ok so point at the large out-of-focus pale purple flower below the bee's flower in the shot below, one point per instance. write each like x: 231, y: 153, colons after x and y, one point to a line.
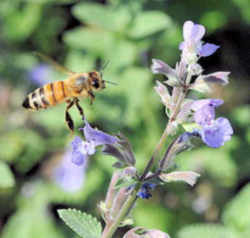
x: 67, y: 175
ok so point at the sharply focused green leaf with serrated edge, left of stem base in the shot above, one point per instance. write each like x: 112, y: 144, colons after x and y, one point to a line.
x: 83, y: 224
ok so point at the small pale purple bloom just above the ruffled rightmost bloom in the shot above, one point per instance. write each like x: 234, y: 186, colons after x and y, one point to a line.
x: 205, y: 110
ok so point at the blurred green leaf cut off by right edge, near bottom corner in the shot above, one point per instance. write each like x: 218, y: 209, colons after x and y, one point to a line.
x: 237, y: 212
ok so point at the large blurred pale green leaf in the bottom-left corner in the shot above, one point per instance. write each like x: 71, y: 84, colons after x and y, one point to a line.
x: 32, y: 219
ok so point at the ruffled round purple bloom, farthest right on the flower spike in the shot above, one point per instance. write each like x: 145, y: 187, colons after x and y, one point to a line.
x: 217, y: 133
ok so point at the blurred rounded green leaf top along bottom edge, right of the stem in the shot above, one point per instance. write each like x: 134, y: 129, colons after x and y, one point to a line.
x: 206, y: 231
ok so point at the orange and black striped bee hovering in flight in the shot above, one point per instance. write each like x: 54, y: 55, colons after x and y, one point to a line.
x: 76, y: 85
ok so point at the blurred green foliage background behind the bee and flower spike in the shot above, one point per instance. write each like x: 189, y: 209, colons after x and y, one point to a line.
x: 82, y: 35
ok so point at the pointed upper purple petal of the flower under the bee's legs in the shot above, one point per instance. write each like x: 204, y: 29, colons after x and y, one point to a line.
x: 96, y: 136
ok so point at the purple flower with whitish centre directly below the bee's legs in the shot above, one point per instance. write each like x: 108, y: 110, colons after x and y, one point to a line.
x: 93, y: 137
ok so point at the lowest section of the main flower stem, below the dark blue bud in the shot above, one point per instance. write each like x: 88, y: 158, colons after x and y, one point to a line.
x: 110, y: 228
